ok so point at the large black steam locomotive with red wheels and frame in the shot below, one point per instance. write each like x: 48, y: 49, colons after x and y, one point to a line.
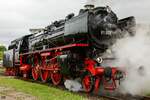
x: 71, y: 48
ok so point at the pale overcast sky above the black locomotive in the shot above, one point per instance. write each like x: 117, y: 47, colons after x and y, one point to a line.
x: 18, y: 16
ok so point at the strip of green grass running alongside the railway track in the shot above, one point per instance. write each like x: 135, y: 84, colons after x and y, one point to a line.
x: 40, y: 91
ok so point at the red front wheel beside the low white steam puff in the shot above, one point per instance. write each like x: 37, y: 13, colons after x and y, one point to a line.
x: 88, y: 82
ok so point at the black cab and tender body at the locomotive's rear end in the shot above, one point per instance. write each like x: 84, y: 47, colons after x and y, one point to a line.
x: 17, y: 47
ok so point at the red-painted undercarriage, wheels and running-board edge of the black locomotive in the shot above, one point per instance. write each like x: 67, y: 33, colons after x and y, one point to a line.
x: 52, y: 69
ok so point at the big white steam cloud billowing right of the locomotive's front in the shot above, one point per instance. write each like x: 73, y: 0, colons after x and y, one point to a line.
x: 133, y: 55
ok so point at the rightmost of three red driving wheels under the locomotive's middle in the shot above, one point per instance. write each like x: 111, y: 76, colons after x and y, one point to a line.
x: 56, y: 78
